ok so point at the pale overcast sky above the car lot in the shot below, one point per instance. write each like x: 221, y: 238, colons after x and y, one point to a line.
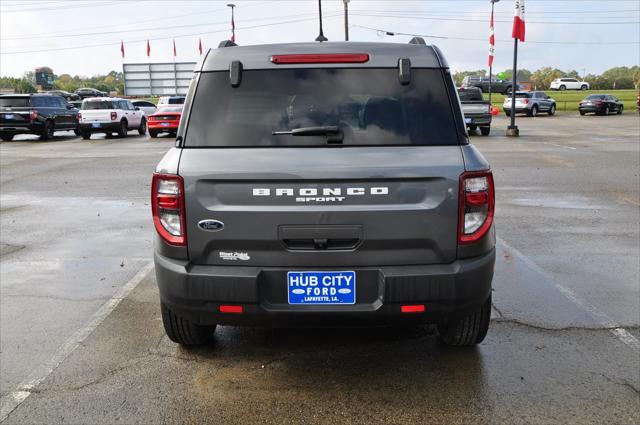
x: 58, y: 33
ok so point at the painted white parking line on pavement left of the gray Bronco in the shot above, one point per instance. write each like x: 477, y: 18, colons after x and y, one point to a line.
x: 9, y: 402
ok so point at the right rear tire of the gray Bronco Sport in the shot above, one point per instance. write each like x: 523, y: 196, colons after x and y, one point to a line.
x: 468, y: 330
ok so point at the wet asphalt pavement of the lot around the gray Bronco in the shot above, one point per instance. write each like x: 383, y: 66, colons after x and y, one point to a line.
x: 562, y: 347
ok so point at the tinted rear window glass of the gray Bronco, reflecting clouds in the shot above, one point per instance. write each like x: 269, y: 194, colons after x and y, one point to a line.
x: 369, y: 106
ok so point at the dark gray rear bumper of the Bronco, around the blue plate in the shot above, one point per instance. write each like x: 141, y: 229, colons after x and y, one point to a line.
x: 446, y: 290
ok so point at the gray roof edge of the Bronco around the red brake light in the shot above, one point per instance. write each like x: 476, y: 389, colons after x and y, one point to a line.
x: 381, y: 55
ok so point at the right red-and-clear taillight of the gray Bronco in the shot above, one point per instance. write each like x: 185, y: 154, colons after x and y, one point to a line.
x: 477, y: 200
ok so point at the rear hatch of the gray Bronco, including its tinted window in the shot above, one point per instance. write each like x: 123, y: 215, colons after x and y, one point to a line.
x: 374, y: 182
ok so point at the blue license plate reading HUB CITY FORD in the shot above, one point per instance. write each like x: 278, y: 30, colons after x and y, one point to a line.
x: 321, y: 287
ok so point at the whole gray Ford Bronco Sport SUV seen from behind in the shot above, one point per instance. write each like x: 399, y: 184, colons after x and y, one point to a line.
x: 324, y: 184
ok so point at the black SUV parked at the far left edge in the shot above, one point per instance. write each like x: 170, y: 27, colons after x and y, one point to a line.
x: 41, y: 114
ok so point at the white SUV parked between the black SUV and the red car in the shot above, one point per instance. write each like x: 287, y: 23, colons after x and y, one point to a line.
x: 110, y: 115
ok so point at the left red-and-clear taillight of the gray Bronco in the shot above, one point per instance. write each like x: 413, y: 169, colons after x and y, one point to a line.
x: 167, y: 206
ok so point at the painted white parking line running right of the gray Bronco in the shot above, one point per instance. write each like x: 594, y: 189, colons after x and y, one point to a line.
x: 597, y: 315
